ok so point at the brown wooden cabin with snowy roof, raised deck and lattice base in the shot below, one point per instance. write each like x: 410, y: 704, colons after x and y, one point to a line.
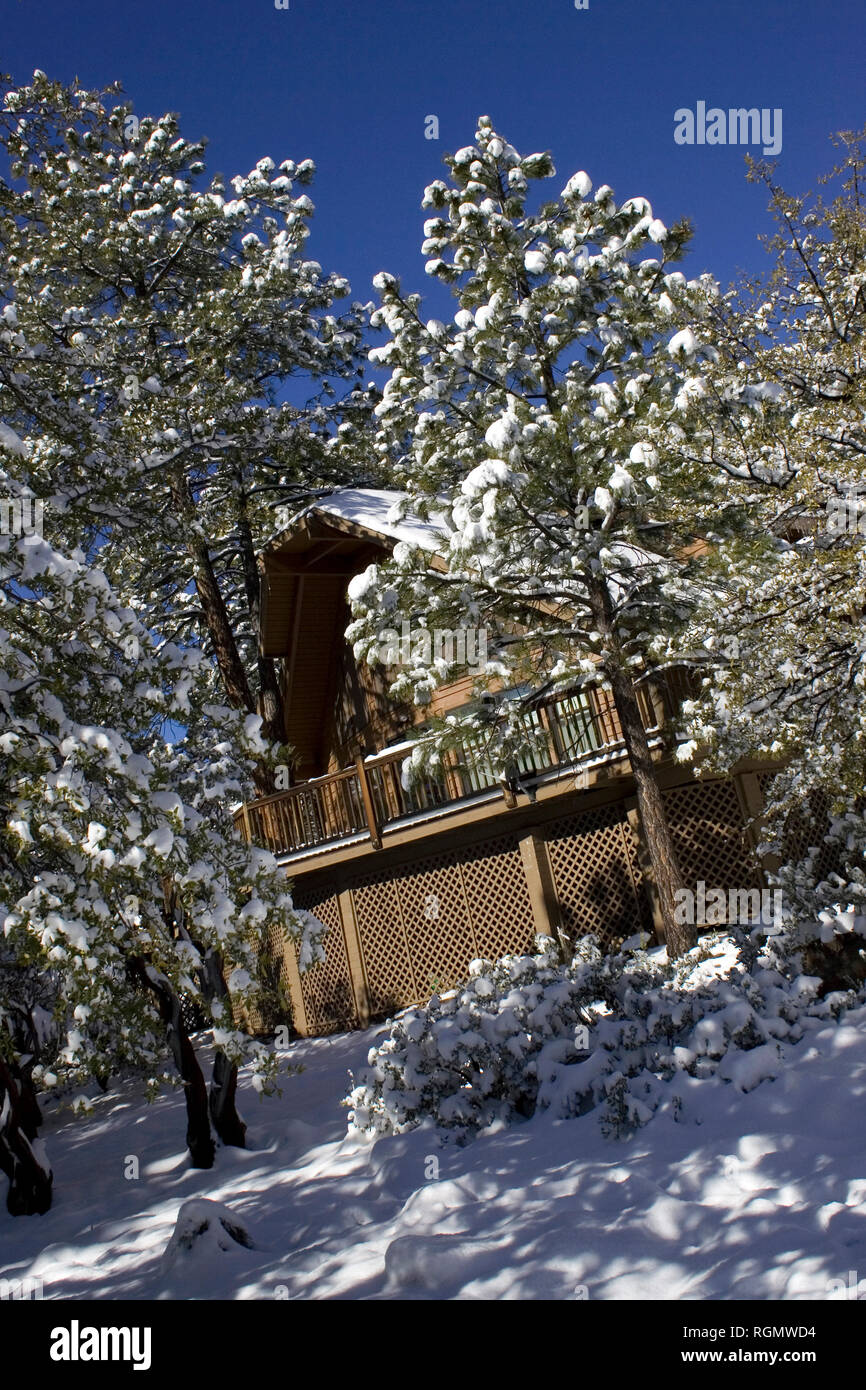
x: 414, y: 881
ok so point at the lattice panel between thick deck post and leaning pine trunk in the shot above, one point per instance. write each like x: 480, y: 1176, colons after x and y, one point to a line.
x: 597, y: 876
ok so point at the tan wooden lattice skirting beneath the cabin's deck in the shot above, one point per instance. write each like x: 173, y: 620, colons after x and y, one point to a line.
x: 398, y: 935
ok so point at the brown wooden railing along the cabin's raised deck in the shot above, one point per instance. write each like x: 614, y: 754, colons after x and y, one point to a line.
x: 565, y: 732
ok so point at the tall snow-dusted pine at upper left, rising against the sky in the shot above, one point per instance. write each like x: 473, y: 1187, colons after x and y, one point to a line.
x: 173, y: 361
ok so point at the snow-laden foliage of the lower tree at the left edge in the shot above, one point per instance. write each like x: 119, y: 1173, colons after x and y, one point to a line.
x: 102, y: 814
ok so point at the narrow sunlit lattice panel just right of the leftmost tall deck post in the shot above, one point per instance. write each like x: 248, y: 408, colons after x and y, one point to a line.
x: 391, y: 982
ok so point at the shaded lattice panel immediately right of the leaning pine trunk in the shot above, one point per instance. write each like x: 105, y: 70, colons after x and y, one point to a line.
x: 710, y: 835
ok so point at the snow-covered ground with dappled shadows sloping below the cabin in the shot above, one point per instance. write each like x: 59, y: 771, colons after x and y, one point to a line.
x: 744, y: 1196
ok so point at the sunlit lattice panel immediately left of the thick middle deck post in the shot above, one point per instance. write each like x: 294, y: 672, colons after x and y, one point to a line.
x: 498, y: 900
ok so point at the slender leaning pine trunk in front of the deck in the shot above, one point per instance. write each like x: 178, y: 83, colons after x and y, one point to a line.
x: 667, y: 874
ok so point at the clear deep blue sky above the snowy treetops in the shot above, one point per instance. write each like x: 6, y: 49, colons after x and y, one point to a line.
x: 350, y: 84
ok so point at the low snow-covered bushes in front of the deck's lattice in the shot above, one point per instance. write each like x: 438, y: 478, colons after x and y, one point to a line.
x: 608, y: 1032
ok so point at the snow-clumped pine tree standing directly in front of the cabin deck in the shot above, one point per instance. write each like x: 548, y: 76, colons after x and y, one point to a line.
x: 547, y: 423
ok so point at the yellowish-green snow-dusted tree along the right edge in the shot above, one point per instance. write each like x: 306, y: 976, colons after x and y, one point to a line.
x: 785, y: 418
